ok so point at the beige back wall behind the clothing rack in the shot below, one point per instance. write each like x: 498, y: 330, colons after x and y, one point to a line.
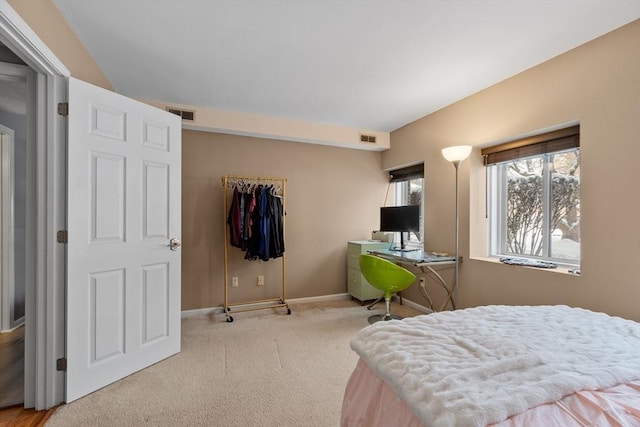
x: 332, y: 196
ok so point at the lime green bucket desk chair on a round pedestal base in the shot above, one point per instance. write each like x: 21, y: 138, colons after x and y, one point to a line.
x: 386, y: 276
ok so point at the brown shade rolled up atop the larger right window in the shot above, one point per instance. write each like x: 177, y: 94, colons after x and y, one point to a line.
x: 549, y: 142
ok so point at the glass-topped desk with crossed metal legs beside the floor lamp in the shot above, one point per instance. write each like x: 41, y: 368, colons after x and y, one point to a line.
x: 428, y: 263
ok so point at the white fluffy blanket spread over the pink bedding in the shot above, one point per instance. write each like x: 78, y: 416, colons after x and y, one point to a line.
x: 481, y: 365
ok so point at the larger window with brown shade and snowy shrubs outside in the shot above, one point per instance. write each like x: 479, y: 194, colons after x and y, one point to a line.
x: 533, y: 191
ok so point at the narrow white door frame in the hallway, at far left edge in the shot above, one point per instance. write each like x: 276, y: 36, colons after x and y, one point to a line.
x: 7, y: 300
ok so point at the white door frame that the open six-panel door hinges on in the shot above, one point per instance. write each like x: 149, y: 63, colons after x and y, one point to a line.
x: 46, y: 201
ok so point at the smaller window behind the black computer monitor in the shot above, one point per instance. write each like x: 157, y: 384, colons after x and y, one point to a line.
x: 406, y: 184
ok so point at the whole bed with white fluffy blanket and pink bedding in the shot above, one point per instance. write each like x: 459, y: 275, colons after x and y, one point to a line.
x: 496, y: 365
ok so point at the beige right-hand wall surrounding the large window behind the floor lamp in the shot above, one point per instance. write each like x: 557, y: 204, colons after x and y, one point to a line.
x: 597, y: 84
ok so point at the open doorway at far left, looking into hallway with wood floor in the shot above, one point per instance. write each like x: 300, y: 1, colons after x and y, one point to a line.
x: 13, y: 227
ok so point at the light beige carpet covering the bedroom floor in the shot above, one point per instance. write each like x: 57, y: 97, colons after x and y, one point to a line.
x: 263, y: 369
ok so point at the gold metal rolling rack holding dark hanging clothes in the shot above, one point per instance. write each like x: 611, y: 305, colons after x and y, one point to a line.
x: 279, y: 301
